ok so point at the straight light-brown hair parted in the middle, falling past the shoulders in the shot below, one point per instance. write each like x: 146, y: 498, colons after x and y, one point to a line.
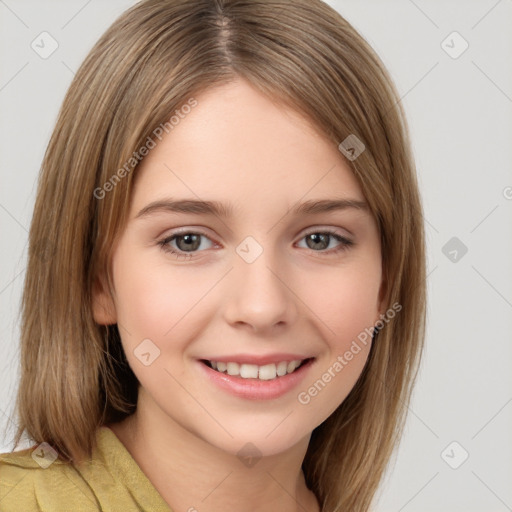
x: 74, y: 376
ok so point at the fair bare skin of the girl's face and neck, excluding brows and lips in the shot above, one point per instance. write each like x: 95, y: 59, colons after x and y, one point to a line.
x: 239, y: 147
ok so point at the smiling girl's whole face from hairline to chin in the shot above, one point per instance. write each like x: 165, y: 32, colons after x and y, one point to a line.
x: 234, y: 255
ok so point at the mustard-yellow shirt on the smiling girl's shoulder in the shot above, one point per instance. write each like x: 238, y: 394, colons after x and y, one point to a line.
x: 110, y: 482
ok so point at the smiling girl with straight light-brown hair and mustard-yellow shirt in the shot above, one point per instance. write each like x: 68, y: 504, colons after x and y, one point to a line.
x: 229, y: 310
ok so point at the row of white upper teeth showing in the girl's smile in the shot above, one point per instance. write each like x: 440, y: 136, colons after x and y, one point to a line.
x: 272, y: 371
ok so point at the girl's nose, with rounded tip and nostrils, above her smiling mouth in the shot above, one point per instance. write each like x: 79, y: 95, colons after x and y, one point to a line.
x: 260, y: 295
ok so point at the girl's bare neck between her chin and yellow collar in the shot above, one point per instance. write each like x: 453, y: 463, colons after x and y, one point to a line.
x: 193, y: 475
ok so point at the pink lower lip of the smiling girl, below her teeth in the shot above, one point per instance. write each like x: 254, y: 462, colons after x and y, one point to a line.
x: 256, y: 389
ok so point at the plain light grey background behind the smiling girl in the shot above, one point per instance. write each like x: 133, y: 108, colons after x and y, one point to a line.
x: 459, y: 110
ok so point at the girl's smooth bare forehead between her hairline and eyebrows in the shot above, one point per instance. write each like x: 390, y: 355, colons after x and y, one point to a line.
x: 236, y: 144
